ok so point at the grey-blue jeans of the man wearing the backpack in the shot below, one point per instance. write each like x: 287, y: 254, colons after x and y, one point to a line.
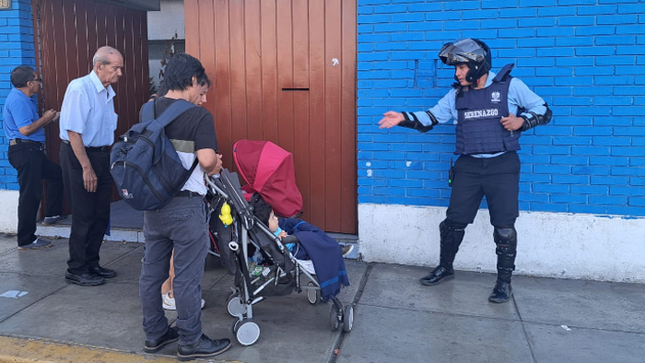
x: 182, y: 225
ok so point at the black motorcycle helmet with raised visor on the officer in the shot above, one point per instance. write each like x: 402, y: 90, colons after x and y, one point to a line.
x: 472, y: 52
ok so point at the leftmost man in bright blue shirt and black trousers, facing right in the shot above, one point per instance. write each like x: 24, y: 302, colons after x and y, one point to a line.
x: 24, y: 129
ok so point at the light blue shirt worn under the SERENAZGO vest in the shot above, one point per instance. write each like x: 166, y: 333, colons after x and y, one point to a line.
x: 519, y: 95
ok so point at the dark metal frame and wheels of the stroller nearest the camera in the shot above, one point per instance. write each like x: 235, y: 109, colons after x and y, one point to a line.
x: 280, y: 275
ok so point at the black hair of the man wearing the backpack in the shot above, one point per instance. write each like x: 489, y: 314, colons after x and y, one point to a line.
x: 180, y: 71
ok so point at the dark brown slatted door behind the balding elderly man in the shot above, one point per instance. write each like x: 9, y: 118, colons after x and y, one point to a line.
x: 70, y: 33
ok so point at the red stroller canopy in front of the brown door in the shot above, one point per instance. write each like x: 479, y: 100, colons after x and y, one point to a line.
x: 268, y: 169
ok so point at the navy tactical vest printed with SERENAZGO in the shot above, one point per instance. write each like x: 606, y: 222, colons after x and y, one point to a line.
x: 479, y: 130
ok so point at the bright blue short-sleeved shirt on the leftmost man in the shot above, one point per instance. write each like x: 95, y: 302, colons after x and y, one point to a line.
x: 20, y: 111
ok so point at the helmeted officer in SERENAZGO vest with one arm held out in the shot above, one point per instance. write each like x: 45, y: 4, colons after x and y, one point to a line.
x: 490, y: 110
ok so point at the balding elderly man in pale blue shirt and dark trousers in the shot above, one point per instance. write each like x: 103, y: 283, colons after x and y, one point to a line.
x: 87, y: 124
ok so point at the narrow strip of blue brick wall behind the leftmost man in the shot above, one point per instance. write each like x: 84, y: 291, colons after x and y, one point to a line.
x: 16, y: 48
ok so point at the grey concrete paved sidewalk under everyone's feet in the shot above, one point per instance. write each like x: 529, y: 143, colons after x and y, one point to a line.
x: 396, y: 318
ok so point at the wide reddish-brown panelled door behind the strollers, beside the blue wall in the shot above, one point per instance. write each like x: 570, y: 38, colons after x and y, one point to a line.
x: 285, y: 71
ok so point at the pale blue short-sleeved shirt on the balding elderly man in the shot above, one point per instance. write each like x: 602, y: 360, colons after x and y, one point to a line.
x: 88, y: 109
